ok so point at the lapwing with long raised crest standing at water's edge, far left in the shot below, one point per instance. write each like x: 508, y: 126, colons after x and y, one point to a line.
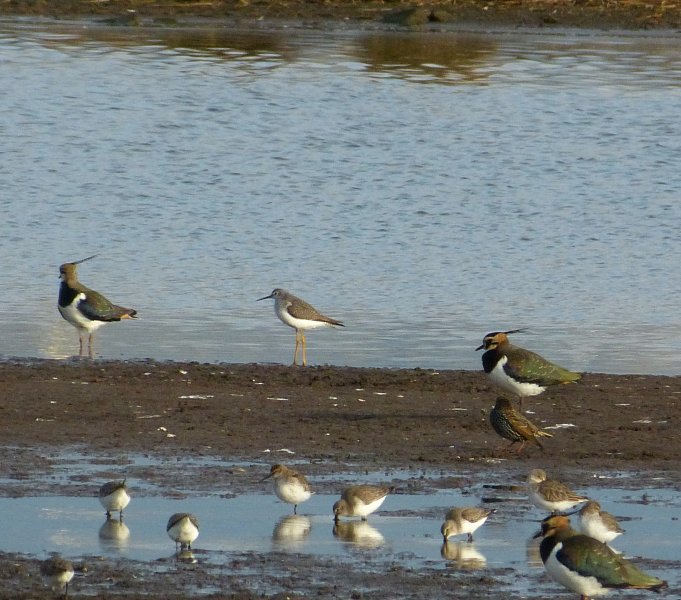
x: 84, y: 308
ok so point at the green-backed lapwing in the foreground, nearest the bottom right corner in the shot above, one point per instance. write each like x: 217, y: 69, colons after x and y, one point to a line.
x: 585, y: 565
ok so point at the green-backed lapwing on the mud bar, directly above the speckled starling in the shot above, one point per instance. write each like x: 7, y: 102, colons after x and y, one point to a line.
x: 517, y: 370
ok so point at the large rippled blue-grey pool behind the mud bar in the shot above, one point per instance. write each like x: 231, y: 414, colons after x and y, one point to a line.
x: 425, y: 188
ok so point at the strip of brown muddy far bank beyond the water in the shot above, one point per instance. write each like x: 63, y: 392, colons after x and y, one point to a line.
x: 589, y: 14
